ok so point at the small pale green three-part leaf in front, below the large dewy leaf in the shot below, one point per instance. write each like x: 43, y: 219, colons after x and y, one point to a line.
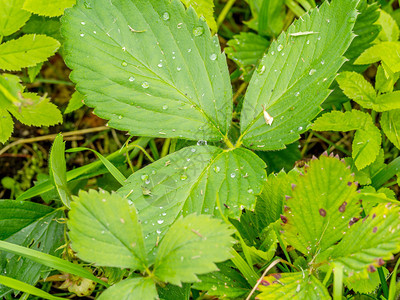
x: 113, y: 236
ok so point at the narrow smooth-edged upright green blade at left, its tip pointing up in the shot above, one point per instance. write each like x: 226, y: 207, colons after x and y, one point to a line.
x: 58, y: 170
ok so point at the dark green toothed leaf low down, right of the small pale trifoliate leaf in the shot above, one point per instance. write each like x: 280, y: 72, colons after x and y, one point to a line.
x: 226, y: 282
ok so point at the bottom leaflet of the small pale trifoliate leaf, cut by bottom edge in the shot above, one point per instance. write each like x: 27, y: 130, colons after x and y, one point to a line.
x: 132, y: 289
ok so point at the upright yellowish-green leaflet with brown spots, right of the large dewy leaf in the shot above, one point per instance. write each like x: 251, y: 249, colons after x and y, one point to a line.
x: 323, y: 203
